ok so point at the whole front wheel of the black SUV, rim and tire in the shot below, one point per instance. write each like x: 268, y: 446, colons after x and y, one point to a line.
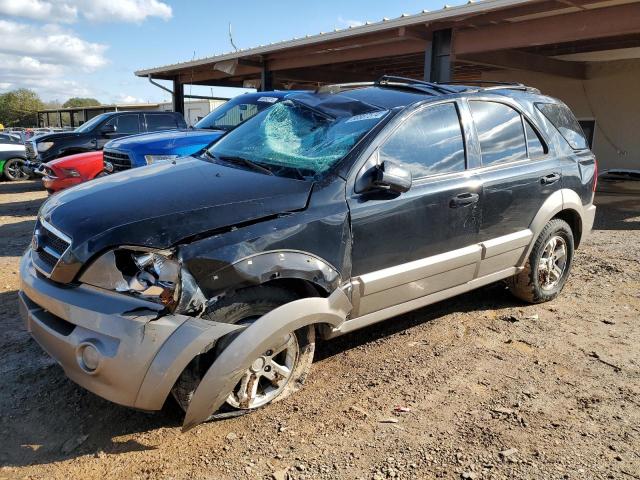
x: 274, y: 375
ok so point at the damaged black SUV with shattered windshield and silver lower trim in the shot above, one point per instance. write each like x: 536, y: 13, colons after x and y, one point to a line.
x: 325, y: 213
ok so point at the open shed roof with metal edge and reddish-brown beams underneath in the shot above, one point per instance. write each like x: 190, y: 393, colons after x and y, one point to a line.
x: 487, y: 35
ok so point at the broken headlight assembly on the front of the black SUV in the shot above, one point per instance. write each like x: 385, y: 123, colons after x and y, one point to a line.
x: 152, y: 275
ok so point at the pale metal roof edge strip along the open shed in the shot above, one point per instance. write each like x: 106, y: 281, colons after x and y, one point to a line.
x: 424, y: 17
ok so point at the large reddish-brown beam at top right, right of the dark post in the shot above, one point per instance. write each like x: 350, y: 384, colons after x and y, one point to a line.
x: 571, y: 27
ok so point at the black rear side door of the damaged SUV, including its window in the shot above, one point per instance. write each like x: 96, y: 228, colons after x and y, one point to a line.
x: 518, y: 173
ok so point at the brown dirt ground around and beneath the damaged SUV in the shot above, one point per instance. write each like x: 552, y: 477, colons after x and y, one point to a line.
x: 487, y: 387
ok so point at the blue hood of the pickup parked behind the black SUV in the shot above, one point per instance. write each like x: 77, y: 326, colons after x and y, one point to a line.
x: 167, y: 142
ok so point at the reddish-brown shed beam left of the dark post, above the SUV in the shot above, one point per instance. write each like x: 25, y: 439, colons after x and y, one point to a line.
x: 351, y: 55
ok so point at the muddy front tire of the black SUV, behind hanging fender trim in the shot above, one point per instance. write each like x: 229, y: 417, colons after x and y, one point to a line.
x: 244, y: 307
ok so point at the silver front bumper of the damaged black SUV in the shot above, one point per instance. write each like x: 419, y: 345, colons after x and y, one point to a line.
x: 141, y: 352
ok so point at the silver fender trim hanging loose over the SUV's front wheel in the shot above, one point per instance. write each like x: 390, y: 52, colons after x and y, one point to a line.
x: 266, y: 332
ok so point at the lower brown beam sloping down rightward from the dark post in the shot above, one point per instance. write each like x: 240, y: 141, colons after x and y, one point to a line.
x: 519, y: 60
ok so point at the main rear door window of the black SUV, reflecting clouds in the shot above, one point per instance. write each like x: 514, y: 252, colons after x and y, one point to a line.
x: 500, y: 132
